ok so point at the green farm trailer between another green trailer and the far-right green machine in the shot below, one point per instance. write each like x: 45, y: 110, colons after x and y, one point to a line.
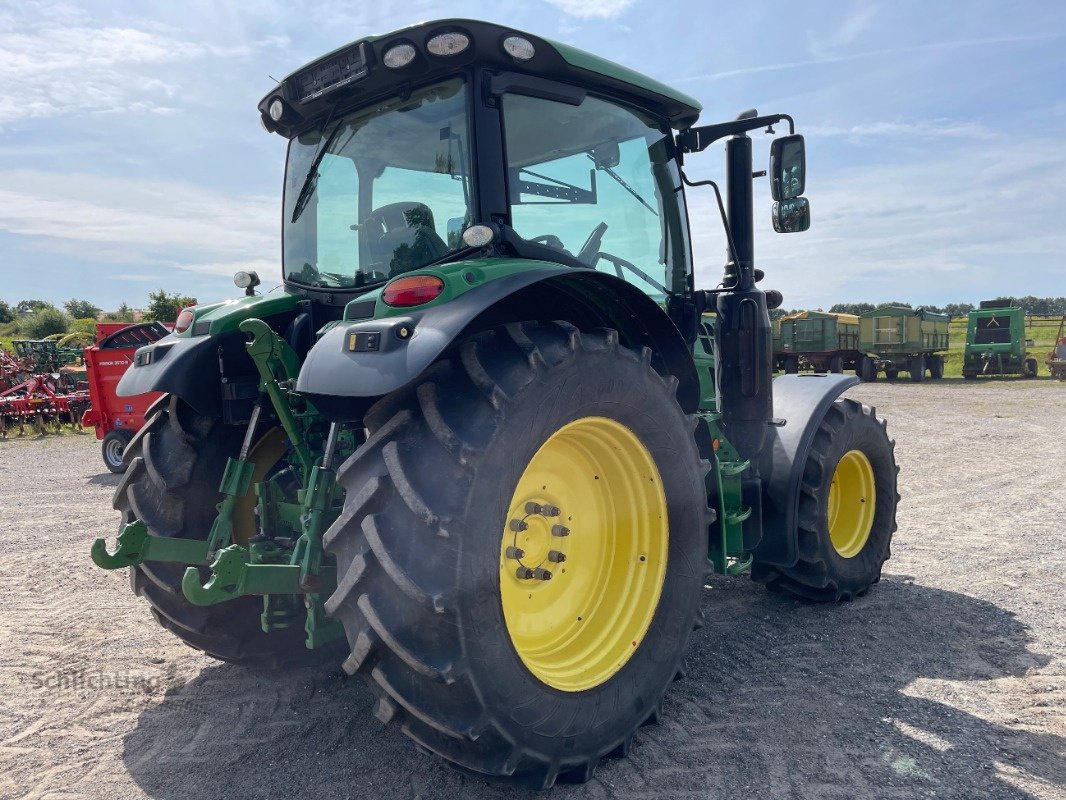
x: 897, y: 339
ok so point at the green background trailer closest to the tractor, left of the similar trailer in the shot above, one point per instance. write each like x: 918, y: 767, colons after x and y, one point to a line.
x: 825, y: 343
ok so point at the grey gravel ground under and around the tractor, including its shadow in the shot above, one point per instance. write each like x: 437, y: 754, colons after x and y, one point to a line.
x: 948, y: 680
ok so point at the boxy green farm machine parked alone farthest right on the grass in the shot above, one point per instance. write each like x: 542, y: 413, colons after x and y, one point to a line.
x: 996, y: 343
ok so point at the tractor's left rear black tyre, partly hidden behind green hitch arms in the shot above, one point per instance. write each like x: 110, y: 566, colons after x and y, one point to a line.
x: 176, y: 463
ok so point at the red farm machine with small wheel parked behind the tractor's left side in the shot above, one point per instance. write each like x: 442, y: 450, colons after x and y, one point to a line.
x: 117, y: 419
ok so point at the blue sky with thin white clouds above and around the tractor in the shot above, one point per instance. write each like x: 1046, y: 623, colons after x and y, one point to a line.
x: 132, y: 156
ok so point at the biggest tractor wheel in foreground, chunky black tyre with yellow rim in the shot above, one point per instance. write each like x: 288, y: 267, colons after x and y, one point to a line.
x: 451, y: 520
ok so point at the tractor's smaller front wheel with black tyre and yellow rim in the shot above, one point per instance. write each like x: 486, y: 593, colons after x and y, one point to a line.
x: 847, y: 517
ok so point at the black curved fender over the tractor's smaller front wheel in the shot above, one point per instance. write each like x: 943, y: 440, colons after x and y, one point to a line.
x: 802, y: 402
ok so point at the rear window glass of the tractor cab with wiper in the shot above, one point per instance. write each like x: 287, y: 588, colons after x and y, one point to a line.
x: 382, y: 191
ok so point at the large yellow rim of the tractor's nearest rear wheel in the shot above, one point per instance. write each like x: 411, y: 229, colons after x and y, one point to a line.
x: 584, y: 554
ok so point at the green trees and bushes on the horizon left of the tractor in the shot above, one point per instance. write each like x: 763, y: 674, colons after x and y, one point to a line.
x: 37, y: 319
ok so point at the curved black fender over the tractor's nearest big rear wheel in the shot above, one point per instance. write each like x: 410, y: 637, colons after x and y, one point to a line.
x: 347, y: 364
